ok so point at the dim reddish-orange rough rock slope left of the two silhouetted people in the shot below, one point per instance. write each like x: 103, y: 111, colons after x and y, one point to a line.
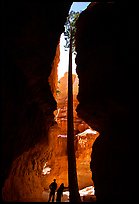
x: 28, y: 178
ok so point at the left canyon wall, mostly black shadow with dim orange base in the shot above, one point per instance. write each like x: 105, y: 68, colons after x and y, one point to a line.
x: 31, y: 33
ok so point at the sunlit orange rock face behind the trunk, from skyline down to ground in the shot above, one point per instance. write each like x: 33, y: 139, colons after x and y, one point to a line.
x: 84, y: 135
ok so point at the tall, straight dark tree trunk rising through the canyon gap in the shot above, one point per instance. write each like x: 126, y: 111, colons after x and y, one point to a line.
x: 74, y: 195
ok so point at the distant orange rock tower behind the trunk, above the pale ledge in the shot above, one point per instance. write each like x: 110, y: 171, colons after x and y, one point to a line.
x: 62, y: 98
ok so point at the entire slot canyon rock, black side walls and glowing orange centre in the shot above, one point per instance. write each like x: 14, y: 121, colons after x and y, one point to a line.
x: 34, y: 101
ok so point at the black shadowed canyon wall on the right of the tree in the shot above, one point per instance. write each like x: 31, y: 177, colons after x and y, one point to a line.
x: 105, y: 45
